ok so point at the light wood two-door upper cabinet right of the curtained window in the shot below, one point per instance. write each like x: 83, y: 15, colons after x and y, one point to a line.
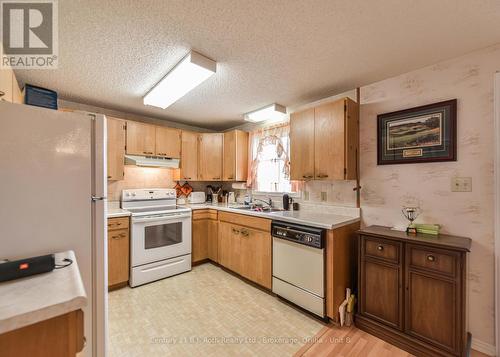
x: 324, y: 142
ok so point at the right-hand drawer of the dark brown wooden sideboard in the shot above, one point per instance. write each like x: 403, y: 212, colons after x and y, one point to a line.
x: 435, y: 260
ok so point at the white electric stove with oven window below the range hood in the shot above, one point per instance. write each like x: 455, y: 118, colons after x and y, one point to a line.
x: 160, y: 234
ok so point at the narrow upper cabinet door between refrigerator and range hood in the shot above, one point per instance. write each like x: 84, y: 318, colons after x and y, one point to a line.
x: 116, y: 148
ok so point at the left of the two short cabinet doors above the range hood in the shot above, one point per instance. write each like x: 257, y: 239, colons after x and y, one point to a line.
x: 140, y: 138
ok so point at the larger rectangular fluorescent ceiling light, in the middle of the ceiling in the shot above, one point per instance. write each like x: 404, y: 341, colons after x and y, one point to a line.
x: 190, y: 72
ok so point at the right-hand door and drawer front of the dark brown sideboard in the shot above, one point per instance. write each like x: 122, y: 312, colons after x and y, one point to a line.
x: 433, y: 285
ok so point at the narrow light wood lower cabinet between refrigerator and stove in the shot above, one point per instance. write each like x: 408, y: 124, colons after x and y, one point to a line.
x: 118, y: 252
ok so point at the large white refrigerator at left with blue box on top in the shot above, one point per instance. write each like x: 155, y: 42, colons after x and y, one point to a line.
x: 53, y: 197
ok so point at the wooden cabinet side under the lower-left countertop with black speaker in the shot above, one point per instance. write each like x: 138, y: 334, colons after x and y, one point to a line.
x: 60, y: 336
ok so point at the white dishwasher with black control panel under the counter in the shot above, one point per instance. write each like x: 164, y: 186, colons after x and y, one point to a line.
x: 299, y: 265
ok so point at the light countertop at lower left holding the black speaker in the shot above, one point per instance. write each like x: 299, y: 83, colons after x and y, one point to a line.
x: 41, y: 297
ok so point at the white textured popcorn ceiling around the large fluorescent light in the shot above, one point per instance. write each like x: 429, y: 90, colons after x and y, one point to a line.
x: 287, y: 51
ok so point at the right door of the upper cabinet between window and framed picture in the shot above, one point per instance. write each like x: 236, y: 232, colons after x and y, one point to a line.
x: 329, y: 141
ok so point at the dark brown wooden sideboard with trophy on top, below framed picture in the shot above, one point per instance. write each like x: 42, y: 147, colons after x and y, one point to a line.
x: 412, y: 290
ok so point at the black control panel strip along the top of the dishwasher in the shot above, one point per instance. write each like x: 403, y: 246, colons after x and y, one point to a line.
x: 310, y: 236
